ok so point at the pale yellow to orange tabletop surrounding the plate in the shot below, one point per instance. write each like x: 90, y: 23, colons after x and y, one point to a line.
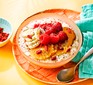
x: 15, y: 11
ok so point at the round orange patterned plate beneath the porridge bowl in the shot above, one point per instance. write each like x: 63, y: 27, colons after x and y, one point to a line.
x: 44, y: 74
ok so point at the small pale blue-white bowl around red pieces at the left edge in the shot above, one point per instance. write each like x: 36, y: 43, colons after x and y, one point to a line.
x: 7, y: 28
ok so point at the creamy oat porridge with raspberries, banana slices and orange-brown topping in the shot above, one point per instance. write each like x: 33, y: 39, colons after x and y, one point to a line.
x: 48, y: 40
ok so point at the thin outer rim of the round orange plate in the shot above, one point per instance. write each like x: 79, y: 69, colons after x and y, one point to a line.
x: 33, y: 76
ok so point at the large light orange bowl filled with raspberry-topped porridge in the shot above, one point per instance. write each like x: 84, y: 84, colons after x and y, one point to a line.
x: 48, y: 39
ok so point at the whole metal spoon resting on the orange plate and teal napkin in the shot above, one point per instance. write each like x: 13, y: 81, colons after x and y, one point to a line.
x: 66, y: 75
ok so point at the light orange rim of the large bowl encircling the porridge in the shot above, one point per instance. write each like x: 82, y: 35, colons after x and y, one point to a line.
x: 42, y: 64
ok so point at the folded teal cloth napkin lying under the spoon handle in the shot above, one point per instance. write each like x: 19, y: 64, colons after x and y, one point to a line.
x: 86, y: 26
